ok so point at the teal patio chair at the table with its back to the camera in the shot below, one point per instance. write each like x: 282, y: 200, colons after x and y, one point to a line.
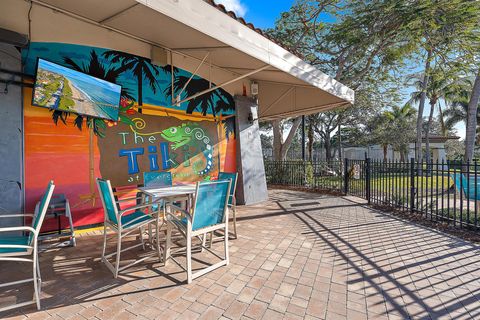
x: 209, y: 213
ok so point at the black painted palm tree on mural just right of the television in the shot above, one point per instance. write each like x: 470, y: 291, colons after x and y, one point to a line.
x: 141, y: 67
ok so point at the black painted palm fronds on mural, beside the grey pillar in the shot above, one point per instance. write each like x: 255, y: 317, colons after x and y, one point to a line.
x: 217, y: 102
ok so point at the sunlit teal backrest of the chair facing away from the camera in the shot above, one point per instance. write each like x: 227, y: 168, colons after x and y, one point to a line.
x: 211, y: 200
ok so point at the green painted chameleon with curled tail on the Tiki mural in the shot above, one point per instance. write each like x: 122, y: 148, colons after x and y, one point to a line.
x: 191, y: 136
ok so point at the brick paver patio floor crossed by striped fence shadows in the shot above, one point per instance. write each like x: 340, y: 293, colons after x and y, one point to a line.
x: 300, y: 255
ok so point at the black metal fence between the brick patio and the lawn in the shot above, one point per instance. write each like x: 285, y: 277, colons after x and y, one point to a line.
x: 440, y: 191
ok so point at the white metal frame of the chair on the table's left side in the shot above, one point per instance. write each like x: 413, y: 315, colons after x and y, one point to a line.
x: 123, y: 231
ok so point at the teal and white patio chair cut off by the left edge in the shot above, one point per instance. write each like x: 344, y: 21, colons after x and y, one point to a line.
x: 24, y: 247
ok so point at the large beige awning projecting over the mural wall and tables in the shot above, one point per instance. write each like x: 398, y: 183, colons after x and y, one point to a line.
x: 288, y: 86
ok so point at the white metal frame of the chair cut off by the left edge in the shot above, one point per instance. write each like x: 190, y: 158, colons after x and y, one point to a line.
x: 30, y: 255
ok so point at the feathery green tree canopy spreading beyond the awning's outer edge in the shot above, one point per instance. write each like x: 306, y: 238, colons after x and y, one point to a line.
x: 370, y: 45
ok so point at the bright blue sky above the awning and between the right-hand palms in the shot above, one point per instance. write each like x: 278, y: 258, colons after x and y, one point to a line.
x: 263, y: 13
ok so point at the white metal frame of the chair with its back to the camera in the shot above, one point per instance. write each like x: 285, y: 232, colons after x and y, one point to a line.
x: 187, y: 232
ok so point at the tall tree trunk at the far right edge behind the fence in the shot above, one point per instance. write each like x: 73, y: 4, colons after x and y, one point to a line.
x: 470, y: 130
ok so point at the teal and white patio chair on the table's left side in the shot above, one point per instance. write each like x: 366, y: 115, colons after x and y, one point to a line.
x: 124, y: 224
